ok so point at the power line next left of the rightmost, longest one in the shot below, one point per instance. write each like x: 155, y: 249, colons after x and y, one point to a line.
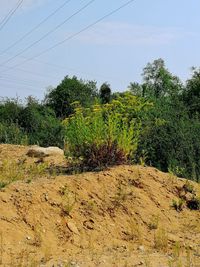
x: 48, y: 33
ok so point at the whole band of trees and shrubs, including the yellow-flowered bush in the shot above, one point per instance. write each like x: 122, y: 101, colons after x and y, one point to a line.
x: 156, y: 122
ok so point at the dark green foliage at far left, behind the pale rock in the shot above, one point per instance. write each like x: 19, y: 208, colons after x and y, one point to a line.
x: 32, y: 123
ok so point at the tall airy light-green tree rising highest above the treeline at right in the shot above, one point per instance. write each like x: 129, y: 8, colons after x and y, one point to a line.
x: 158, y: 81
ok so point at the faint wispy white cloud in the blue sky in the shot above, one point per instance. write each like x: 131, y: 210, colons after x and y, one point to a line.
x: 115, y: 33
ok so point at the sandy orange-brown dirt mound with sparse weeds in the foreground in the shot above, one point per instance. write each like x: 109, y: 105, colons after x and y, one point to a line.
x: 119, y: 217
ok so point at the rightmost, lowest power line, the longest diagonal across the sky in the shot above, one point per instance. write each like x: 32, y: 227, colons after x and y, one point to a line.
x: 73, y: 35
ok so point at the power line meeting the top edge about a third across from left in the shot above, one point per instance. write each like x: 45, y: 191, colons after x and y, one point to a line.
x: 36, y: 27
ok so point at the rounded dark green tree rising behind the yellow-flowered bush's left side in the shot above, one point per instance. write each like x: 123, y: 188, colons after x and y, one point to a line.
x: 68, y: 91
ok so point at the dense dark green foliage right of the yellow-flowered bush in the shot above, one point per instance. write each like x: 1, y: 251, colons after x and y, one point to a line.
x: 170, y: 138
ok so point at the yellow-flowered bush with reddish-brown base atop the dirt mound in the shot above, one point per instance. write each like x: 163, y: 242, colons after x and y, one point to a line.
x: 99, y: 137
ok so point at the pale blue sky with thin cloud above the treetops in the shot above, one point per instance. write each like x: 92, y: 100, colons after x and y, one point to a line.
x: 115, y: 50
